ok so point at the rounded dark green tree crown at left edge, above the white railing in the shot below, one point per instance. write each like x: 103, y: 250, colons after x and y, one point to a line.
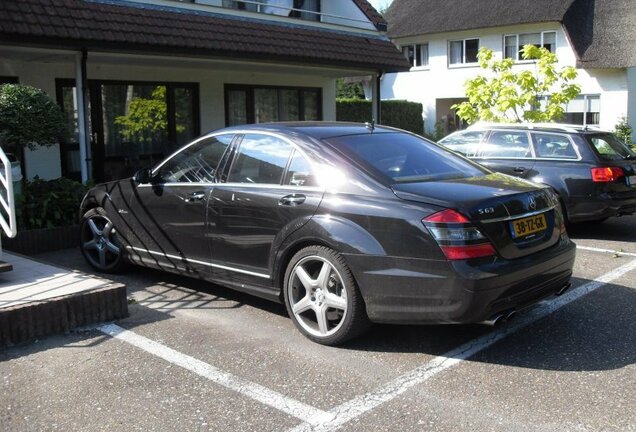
x: 28, y: 117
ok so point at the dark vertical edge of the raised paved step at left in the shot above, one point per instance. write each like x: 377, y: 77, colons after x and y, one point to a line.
x: 30, y: 321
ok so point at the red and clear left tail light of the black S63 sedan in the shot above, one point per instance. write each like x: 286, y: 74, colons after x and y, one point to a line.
x: 457, y: 236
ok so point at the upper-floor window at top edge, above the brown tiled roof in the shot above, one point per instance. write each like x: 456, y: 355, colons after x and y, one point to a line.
x: 303, y: 9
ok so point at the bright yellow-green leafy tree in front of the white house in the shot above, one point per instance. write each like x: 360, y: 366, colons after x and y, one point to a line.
x: 507, y: 96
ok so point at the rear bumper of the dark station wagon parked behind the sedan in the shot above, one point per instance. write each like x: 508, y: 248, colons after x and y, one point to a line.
x: 589, y: 208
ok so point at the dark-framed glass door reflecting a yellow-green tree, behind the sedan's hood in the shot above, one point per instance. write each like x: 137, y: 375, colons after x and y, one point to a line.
x: 133, y: 125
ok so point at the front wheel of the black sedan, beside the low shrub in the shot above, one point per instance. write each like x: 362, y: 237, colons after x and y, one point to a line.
x: 99, y: 242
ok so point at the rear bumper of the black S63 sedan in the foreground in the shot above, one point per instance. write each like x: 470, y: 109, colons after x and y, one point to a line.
x: 398, y: 290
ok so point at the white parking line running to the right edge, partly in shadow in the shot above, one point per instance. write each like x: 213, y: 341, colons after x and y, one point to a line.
x: 362, y: 404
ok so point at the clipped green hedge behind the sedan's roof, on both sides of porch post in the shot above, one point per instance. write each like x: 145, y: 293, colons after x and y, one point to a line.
x: 397, y: 113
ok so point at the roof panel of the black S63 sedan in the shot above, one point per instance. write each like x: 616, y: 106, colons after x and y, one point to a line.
x: 318, y: 130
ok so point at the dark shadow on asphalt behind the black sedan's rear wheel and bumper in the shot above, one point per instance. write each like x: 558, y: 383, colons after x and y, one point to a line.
x: 593, y: 333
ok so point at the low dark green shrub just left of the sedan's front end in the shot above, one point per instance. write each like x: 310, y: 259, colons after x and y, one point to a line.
x: 50, y: 203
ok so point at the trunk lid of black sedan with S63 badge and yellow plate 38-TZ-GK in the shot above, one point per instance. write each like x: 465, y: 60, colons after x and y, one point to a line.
x: 518, y: 217
